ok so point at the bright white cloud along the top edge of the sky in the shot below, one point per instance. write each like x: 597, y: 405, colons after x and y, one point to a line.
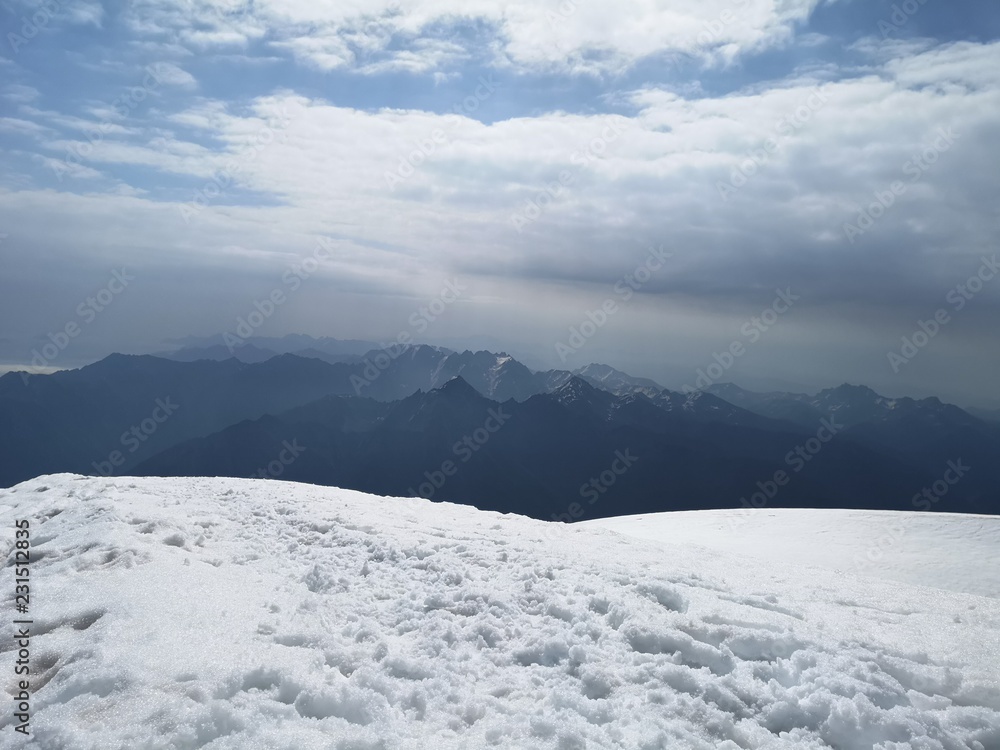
x: 565, y: 35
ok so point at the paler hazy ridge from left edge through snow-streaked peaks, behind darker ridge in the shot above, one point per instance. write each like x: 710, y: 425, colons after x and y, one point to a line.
x: 108, y: 417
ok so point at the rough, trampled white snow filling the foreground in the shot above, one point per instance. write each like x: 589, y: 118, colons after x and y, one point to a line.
x: 226, y: 613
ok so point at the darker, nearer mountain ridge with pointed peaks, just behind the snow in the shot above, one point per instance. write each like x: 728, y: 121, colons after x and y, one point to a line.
x: 578, y: 452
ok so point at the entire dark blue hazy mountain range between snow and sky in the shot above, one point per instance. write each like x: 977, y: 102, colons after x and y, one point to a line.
x: 482, y: 428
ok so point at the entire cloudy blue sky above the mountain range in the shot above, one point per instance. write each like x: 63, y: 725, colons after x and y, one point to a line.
x: 536, y: 151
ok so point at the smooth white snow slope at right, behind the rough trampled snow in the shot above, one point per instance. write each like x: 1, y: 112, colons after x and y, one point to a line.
x: 952, y: 551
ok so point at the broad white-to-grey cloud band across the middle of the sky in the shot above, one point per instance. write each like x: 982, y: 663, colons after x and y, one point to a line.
x: 324, y: 172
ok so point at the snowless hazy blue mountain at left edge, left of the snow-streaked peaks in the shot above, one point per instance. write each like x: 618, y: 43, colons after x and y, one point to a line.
x: 130, y: 407
